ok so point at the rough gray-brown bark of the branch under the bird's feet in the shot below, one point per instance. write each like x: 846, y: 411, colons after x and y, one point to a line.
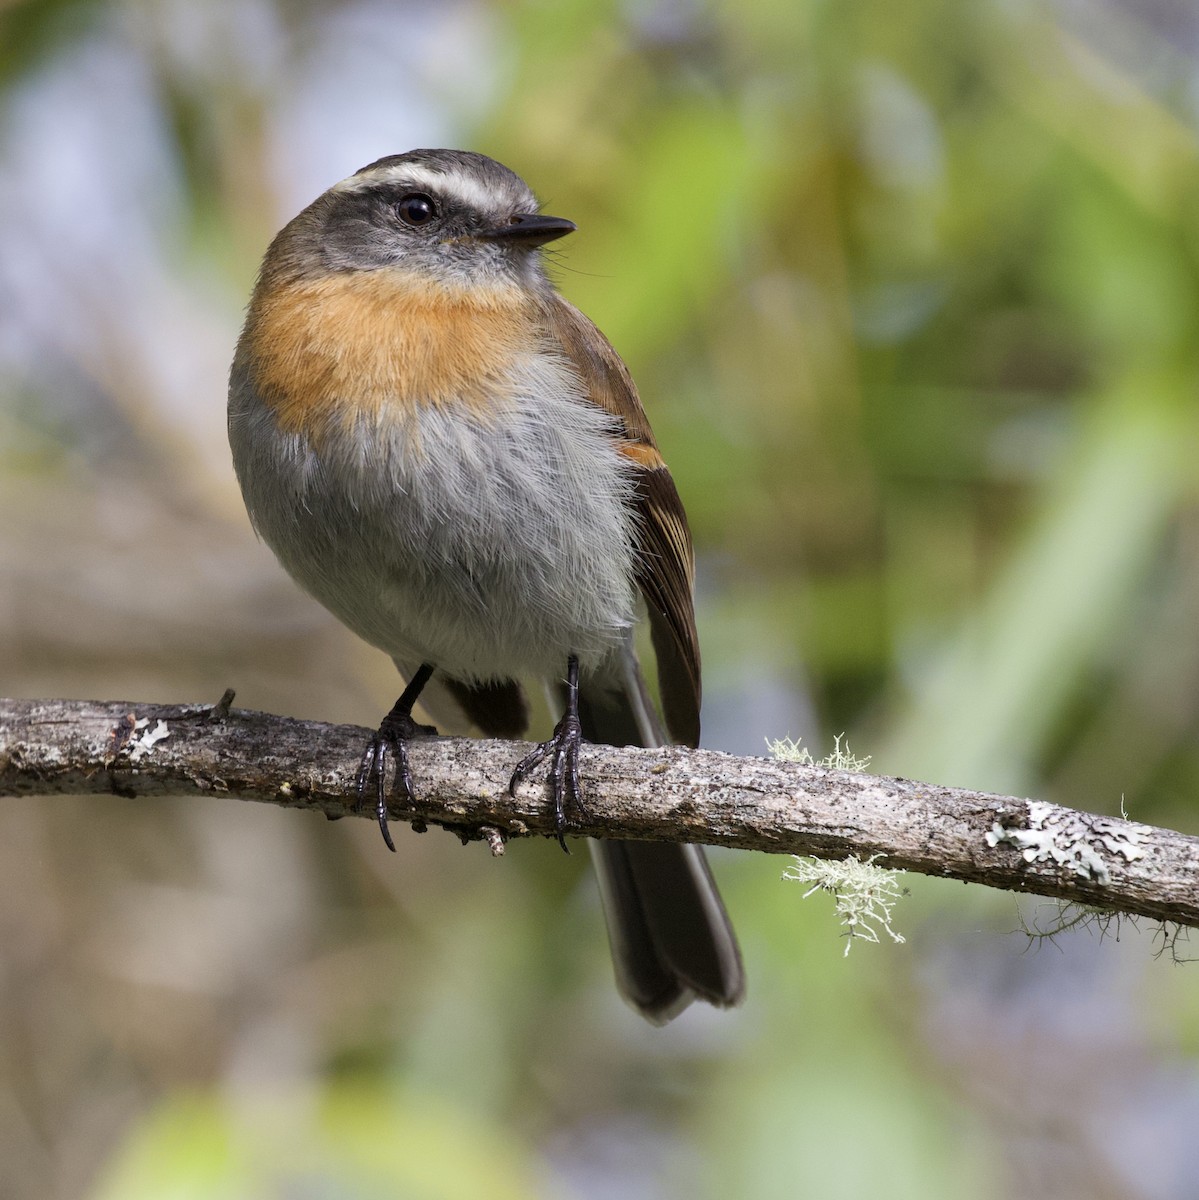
x: 68, y: 747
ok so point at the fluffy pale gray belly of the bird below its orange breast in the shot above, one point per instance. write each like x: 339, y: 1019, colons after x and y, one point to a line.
x: 490, y: 550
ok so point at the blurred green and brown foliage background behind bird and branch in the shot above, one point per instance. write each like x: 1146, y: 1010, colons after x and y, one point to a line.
x: 913, y: 296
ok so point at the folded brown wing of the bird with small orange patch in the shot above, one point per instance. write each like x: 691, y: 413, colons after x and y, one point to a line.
x: 666, y: 561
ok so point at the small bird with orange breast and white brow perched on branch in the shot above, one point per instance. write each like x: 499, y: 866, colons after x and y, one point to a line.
x: 452, y: 459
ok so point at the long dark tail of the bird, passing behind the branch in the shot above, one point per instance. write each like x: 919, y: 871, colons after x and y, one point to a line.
x: 670, y: 935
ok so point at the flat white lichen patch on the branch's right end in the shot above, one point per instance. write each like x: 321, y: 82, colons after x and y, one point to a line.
x: 1078, y: 843
